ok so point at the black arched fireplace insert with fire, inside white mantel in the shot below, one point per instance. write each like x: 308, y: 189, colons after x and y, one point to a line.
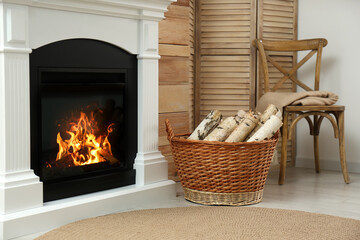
x: 83, y: 117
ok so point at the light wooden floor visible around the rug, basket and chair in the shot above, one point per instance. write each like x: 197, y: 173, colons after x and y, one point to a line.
x: 303, y: 190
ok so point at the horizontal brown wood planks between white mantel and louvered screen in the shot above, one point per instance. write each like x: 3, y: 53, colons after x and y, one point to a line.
x: 176, y: 74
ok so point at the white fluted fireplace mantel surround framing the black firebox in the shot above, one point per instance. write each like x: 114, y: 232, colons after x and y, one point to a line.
x: 29, y: 24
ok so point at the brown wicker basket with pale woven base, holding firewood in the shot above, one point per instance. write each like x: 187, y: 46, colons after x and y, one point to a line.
x: 219, y: 173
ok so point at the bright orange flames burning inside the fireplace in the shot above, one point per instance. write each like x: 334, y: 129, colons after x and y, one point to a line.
x: 84, y: 147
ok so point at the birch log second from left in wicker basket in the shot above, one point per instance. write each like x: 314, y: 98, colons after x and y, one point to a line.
x: 223, y: 130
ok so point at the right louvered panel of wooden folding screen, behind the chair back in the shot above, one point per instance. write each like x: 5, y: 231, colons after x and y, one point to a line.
x: 277, y: 20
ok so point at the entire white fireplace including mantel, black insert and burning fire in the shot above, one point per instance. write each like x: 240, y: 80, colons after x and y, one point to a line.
x: 126, y: 28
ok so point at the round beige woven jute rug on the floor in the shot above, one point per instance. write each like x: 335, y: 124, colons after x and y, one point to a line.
x: 210, y: 223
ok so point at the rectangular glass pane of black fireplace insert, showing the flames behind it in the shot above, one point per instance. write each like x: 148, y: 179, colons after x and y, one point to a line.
x: 81, y: 132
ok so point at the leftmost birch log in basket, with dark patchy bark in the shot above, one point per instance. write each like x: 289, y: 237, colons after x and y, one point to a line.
x: 206, y: 126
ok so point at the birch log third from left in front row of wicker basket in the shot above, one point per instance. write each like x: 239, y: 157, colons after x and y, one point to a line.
x: 245, y: 127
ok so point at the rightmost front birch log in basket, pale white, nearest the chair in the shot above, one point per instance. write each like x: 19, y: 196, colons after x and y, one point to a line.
x: 270, y: 127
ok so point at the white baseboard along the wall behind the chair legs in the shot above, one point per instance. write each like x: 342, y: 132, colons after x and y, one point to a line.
x: 334, y: 165
